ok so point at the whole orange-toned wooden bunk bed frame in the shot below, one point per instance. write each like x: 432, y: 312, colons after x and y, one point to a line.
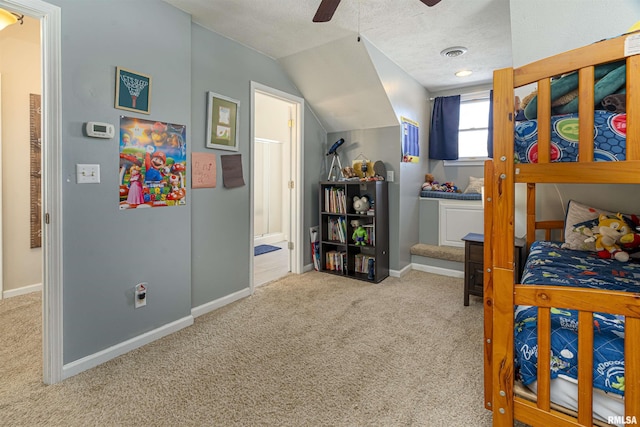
x: 501, y: 294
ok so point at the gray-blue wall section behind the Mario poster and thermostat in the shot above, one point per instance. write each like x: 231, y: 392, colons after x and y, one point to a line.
x: 108, y: 251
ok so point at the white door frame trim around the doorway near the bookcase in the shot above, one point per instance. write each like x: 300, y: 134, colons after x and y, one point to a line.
x: 297, y: 218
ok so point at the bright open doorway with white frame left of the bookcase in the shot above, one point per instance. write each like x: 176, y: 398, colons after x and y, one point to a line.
x: 276, y: 171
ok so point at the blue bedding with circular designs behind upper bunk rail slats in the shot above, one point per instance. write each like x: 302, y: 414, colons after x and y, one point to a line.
x: 609, y: 134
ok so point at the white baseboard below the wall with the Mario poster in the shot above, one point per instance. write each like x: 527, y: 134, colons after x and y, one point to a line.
x: 93, y: 360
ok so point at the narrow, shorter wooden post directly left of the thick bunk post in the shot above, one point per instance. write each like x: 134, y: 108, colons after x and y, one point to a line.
x: 488, y: 280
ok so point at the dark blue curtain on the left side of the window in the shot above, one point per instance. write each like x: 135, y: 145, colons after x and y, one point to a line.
x: 445, y: 121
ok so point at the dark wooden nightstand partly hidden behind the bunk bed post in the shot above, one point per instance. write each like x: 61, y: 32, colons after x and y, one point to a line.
x: 474, y: 263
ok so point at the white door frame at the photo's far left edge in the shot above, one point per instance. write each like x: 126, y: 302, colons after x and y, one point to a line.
x: 52, y: 248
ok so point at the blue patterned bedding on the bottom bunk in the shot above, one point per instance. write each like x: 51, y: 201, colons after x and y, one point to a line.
x: 549, y: 264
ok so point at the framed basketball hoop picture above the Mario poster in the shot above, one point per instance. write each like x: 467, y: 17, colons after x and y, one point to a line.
x: 133, y: 91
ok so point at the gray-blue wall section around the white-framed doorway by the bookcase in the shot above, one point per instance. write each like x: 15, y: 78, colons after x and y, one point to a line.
x: 220, y: 217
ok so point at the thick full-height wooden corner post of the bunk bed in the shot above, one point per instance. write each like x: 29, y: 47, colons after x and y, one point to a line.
x: 502, y: 244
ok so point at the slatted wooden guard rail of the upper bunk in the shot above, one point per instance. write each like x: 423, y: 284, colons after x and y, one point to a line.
x: 585, y: 170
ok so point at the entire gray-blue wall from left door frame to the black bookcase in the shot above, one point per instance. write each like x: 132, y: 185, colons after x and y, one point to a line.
x: 189, y: 255
